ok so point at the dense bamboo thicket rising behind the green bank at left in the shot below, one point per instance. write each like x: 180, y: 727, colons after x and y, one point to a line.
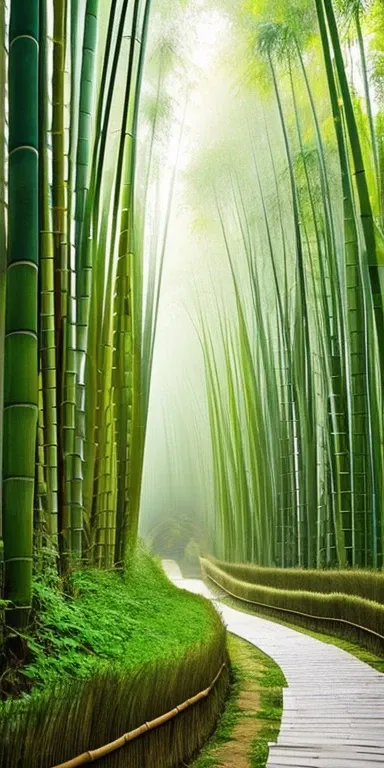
x: 77, y: 361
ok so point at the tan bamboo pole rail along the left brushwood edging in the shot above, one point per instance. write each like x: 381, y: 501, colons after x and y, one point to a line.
x: 96, y: 754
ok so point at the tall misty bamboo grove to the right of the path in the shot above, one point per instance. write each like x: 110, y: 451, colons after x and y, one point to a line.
x: 294, y: 363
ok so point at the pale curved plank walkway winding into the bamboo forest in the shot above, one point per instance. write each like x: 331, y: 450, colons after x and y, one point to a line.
x: 333, y: 710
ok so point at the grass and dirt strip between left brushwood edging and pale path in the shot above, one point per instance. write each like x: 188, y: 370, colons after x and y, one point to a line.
x: 253, y: 711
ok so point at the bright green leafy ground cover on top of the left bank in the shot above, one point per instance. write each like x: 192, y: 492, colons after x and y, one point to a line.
x: 102, y: 619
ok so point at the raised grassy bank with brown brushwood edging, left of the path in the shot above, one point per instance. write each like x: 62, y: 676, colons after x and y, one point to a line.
x: 105, y: 655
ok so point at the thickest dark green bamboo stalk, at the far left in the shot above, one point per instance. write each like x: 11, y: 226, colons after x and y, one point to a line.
x: 20, y: 381
